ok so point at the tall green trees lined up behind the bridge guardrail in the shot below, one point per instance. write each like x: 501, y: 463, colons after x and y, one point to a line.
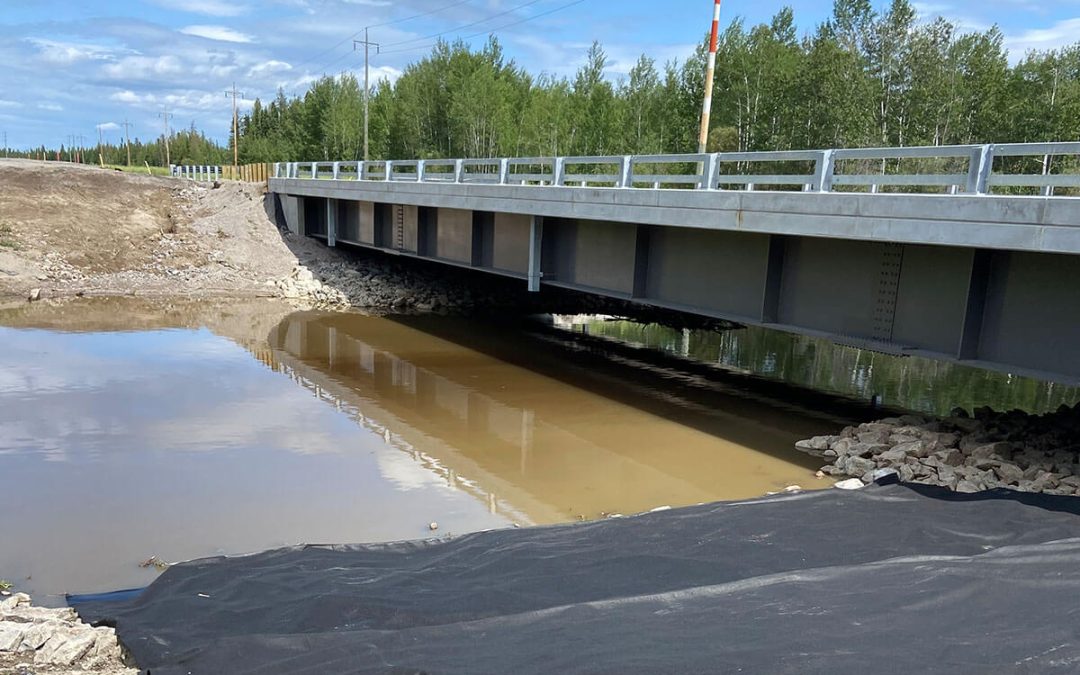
x: 863, y: 78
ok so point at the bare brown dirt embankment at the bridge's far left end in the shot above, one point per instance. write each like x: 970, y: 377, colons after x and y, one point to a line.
x: 80, y: 231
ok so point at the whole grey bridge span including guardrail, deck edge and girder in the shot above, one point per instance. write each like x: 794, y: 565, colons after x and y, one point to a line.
x: 965, y: 253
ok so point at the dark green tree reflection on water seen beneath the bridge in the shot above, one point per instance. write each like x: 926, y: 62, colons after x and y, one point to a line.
x: 914, y: 383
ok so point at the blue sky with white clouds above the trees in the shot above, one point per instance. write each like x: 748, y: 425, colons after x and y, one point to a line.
x: 74, y: 65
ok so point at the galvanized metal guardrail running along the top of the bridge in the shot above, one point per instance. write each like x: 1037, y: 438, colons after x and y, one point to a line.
x: 966, y: 170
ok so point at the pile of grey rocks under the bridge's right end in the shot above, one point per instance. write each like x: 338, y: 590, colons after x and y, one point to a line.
x: 1017, y: 451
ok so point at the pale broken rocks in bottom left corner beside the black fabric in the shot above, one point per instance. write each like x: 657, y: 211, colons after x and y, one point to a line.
x: 42, y: 640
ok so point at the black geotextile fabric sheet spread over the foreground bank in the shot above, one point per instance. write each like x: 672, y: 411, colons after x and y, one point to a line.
x: 888, y: 579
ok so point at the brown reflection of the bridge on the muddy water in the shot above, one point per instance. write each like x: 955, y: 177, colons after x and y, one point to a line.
x: 534, y: 449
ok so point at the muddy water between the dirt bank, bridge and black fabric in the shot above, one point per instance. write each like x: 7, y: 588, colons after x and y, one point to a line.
x: 131, y: 429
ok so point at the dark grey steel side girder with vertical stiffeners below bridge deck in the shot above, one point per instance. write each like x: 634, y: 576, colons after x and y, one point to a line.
x: 1001, y: 309
